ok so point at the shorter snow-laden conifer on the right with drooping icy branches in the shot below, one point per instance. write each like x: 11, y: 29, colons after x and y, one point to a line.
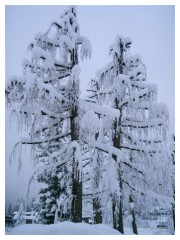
x: 139, y: 130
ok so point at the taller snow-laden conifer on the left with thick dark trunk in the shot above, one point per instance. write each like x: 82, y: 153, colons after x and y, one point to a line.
x: 46, y: 101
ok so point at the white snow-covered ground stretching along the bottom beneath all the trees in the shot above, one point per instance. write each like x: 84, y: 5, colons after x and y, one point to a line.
x: 69, y: 228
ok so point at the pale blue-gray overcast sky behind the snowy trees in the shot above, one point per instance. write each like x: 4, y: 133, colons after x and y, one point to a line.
x: 151, y: 29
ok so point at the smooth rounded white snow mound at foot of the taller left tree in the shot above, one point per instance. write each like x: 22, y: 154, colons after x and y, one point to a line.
x: 64, y: 228
